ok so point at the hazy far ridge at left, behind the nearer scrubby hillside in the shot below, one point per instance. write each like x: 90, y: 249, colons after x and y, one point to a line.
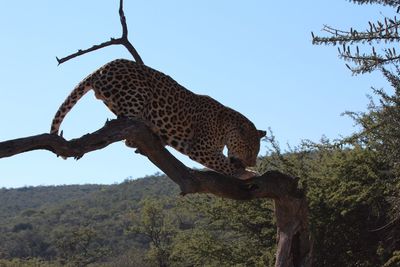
x: 19, y: 200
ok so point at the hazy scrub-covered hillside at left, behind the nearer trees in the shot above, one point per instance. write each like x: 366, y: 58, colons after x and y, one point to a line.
x: 35, y: 221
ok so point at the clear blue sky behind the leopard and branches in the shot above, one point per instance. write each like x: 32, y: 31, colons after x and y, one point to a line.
x: 254, y: 56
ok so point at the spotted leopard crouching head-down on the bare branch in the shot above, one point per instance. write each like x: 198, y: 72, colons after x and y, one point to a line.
x: 208, y: 132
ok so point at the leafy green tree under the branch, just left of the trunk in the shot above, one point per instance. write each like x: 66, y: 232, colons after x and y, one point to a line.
x: 225, y: 233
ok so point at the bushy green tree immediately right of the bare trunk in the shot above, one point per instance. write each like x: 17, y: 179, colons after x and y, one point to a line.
x: 348, y: 196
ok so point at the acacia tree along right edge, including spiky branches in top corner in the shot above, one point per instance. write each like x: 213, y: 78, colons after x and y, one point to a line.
x: 380, y: 125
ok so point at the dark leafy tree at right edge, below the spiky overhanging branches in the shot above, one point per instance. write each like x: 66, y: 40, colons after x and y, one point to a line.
x: 381, y: 133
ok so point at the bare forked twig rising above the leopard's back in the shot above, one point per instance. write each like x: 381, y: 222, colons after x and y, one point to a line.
x: 123, y: 40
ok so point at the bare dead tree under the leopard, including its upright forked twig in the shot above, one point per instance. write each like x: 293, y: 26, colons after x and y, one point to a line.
x: 294, y: 244
